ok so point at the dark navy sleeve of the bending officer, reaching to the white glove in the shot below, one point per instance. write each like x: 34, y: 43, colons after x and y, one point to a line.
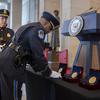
x: 38, y: 58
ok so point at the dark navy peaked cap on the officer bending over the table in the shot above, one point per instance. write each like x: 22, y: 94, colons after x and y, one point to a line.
x: 53, y: 21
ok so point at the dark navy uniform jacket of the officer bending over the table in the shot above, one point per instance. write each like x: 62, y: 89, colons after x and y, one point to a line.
x: 32, y: 41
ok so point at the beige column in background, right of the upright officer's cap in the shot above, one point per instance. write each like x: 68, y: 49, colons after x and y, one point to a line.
x: 16, y: 13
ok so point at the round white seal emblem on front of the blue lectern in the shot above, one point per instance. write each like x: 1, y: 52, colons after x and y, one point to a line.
x: 75, y: 26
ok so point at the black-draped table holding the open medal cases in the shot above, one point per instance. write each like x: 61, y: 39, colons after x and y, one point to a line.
x: 40, y: 88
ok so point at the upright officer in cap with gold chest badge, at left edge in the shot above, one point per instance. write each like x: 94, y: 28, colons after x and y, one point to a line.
x: 5, y: 32
